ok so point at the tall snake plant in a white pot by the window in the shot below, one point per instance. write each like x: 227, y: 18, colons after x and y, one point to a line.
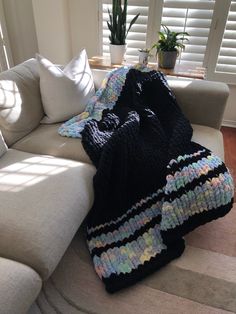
x: 117, y: 26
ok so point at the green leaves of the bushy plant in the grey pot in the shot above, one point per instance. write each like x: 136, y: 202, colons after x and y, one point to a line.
x: 170, y: 41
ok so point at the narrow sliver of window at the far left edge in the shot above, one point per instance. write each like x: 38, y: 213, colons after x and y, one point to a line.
x: 5, y: 55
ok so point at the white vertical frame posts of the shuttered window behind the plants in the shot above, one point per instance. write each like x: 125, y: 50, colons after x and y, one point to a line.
x: 216, y: 34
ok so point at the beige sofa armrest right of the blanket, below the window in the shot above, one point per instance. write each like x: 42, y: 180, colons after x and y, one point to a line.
x: 202, y: 102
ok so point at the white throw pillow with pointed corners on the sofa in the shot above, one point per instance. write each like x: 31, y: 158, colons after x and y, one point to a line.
x: 65, y: 92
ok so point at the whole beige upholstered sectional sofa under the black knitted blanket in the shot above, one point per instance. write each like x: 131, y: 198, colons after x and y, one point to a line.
x: 46, y: 180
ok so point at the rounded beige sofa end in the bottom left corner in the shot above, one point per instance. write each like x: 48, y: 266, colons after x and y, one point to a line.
x: 19, y: 287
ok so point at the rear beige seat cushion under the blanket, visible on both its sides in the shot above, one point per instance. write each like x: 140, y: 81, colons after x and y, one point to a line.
x: 46, y: 140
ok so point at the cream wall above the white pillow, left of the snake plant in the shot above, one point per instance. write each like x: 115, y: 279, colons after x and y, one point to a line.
x: 64, y: 27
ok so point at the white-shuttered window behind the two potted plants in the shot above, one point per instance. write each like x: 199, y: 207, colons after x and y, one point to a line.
x: 211, y: 25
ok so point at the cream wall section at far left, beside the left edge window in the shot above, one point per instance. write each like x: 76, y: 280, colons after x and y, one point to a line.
x: 21, y: 29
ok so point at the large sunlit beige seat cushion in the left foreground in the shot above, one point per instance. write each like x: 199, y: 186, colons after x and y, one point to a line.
x: 43, y: 202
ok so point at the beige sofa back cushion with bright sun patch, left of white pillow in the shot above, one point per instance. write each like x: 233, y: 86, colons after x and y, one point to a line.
x: 20, y: 102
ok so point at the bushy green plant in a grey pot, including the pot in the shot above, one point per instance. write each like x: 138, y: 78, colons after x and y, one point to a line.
x: 168, y: 47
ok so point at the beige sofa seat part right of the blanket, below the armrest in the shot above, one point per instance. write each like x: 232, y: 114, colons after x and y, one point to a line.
x: 210, y: 138
